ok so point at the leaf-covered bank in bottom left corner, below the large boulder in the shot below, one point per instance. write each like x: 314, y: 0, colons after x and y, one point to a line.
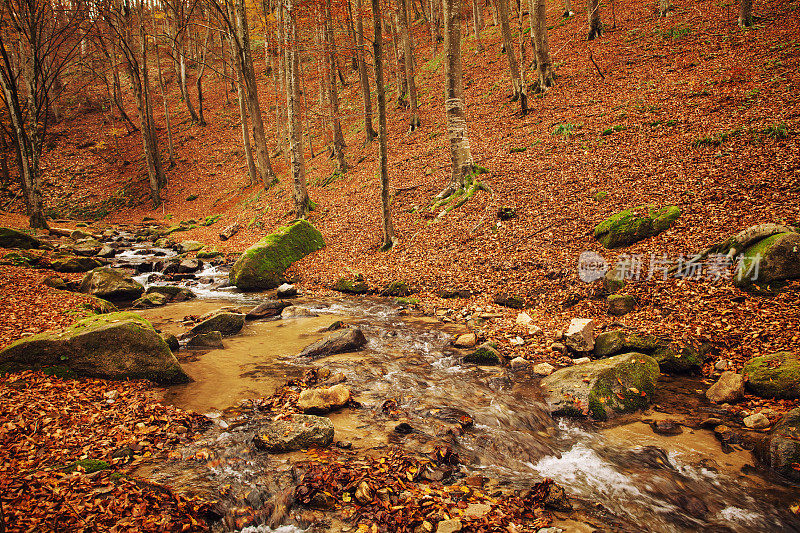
x: 66, y: 446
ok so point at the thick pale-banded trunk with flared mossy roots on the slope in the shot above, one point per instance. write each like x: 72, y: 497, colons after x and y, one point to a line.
x: 460, y: 153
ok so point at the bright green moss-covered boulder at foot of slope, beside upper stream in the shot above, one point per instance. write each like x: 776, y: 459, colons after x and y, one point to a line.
x: 262, y: 265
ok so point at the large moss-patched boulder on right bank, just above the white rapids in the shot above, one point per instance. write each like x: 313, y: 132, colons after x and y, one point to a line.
x: 603, y: 388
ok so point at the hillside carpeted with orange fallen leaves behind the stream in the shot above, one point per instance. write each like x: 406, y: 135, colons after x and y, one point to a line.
x: 690, y: 111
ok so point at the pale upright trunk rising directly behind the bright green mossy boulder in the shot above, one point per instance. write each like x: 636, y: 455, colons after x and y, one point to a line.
x: 296, y: 153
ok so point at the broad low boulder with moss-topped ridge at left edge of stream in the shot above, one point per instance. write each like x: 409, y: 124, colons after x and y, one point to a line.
x: 111, y: 346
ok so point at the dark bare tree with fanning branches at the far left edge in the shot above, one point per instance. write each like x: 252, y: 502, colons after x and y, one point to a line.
x: 46, y: 38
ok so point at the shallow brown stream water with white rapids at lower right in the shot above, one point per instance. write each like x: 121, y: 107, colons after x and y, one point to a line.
x: 624, y: 477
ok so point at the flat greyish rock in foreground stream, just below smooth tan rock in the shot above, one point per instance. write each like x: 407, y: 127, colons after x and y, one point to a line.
x: 294, y: 432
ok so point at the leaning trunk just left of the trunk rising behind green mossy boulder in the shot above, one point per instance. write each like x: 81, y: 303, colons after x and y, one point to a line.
x: 265, y: 172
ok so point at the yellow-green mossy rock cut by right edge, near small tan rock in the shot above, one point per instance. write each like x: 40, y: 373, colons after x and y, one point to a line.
x: 773, y: 376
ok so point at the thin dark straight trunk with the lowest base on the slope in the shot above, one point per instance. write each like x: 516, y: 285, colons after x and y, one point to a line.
x: 383, y: 166
